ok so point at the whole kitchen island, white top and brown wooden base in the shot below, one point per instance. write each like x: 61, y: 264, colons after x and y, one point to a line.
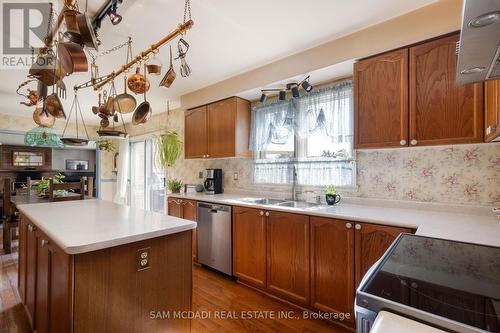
x: 96, y: 266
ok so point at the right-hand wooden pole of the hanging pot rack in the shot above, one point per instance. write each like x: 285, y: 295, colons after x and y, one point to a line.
x: 99, y: 82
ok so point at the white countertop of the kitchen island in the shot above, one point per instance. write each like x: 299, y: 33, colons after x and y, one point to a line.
x: 87, y: 225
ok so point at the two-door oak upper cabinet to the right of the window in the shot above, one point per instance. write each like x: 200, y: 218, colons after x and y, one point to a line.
x: 408, y: 97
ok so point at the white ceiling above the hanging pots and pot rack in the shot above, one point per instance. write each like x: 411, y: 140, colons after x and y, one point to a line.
x: 229, y: 38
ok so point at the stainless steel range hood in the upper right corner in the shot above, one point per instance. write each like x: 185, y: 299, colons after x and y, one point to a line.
x: 479, y: 48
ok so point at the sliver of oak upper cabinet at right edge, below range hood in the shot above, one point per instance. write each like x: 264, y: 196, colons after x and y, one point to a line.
x: 492, y: 110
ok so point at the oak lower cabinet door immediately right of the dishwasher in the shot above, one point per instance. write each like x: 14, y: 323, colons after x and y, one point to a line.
x: 249, y: 246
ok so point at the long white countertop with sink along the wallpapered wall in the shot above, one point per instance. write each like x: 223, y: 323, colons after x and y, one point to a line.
x: 455, y: 222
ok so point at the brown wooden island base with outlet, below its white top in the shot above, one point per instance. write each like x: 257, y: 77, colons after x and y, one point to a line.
x: 106, y: 290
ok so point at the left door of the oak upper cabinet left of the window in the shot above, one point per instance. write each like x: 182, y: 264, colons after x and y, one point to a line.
x: 195, y: 133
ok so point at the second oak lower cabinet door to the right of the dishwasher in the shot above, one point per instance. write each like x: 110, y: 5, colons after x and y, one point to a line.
x: 288, y: 256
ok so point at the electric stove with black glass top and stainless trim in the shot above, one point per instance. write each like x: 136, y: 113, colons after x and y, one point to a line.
x: 450, y: 285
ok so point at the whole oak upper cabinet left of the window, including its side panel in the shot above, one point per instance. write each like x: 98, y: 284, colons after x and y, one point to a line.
x: 219, y: 129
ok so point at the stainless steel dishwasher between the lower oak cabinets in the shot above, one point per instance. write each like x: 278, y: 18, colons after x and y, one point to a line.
x: 214, y: 236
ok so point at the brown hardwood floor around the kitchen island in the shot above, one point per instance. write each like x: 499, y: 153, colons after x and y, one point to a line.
x: 212, y: 294
